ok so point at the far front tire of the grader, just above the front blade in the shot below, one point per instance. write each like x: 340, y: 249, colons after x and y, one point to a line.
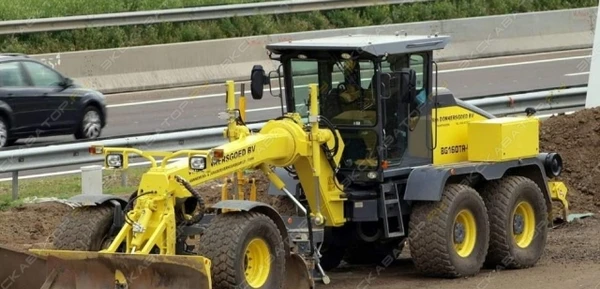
x: 84, y: 229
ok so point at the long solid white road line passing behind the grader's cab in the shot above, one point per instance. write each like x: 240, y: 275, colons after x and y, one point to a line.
x: 267, y: 90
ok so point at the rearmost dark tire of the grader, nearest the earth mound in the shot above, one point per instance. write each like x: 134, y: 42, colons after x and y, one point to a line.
x: 501, y: 198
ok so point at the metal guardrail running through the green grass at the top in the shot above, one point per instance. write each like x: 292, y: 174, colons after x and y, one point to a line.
x: 184, y: 14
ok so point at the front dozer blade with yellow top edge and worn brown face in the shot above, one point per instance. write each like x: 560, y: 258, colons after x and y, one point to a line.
x: 90, y: 270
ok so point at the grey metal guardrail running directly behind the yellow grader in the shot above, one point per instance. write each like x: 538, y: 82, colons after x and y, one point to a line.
x: 51, y: 156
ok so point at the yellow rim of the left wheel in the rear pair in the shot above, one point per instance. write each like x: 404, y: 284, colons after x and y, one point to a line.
x: 465, y: 232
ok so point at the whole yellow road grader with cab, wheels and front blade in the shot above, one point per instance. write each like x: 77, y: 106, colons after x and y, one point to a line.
x: 367, y: 160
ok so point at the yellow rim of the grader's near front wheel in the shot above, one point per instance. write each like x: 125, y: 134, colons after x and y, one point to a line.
x: 257, y: 263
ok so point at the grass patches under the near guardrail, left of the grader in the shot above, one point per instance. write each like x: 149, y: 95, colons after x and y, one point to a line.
x: 67, y: 186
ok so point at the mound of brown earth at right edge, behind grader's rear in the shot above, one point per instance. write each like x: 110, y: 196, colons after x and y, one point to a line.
x: 576, y: 138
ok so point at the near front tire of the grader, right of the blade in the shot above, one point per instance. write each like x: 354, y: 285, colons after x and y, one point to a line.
x: 225, y: 240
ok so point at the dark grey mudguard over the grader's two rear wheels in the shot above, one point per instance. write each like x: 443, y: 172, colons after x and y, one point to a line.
x: 427, y: 183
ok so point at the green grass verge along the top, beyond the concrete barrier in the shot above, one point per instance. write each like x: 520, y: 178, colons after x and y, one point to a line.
x: 111, y: 37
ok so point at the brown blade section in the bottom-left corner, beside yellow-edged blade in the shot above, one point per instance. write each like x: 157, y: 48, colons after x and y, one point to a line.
x: 20, y: 270
